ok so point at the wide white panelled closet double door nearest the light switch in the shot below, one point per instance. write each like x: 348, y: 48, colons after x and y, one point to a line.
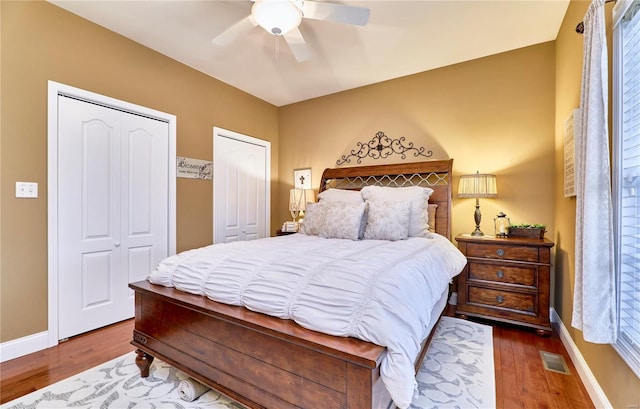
x: 112, y: 211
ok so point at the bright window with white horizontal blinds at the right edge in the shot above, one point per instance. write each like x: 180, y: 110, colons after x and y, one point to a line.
x: 626, y: 172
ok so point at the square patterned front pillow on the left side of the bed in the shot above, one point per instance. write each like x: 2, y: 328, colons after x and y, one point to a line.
x: 342, y: 220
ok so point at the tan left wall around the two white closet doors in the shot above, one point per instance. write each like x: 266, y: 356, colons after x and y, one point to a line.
x: 42, y: 42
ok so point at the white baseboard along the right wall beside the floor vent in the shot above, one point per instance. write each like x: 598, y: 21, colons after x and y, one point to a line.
x: 596, y: 393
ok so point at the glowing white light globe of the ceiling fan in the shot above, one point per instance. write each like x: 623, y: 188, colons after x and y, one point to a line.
x: 277, y: 17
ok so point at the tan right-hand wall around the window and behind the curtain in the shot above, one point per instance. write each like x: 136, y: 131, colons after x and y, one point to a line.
x: 619, y: 383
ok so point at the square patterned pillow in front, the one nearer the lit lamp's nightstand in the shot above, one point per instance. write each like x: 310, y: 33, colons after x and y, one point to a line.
x: 387, y: 220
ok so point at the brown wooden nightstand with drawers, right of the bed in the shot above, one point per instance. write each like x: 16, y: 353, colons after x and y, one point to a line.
x: 506, y: 280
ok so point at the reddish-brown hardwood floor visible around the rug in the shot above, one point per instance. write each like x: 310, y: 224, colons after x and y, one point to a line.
x: 521, y: 380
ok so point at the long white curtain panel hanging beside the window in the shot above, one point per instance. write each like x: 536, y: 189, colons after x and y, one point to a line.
x: 594, y: 301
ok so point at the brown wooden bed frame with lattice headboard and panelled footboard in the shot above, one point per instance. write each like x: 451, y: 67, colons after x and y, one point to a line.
x: 266, y: 362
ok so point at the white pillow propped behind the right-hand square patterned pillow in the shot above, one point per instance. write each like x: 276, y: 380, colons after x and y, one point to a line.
x: 419, y: 198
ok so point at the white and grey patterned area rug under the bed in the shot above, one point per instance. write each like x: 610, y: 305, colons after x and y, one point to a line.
x: 456, y: 373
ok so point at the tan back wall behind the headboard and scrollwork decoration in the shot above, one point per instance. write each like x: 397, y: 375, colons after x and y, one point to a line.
x: 493, y: 114
